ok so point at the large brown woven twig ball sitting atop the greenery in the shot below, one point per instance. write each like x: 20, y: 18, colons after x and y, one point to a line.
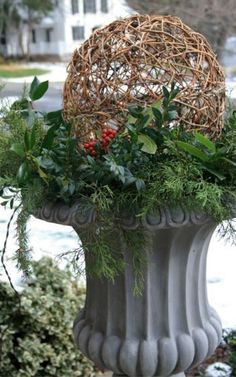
x: 129, y: 61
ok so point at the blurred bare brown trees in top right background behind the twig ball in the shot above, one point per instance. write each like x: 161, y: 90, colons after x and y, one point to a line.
x: 215, y: 19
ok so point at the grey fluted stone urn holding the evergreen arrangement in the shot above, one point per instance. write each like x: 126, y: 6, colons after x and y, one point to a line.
x: 171, y: 326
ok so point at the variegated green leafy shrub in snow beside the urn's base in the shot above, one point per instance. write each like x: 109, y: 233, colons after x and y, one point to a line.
x: 36, y: 340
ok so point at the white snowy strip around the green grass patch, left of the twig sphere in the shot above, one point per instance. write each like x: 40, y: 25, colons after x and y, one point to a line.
x: 57, y: 73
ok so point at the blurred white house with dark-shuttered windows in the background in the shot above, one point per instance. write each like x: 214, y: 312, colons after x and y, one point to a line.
x: 71, y: 22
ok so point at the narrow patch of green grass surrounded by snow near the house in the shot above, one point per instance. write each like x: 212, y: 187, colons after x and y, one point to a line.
x: 14, y: 71
